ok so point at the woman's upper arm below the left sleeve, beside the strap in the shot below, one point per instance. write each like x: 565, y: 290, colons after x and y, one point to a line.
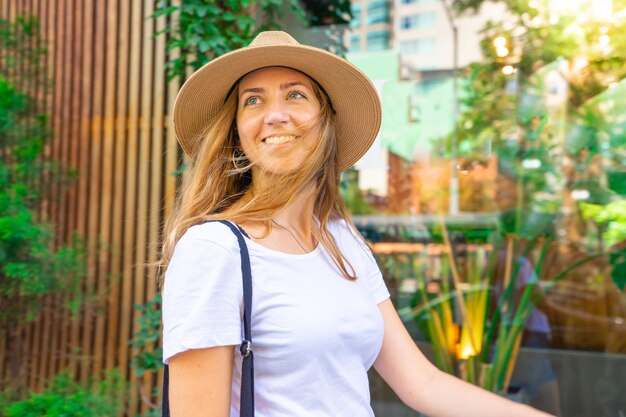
x: 200, y: 382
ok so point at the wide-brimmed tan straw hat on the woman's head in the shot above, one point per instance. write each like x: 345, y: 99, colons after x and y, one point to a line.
x: 354, y: 98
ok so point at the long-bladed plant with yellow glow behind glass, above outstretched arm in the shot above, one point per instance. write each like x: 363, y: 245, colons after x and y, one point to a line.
x: 469, y: 340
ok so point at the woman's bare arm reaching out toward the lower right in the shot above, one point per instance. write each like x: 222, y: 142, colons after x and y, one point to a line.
x: 424, y: 388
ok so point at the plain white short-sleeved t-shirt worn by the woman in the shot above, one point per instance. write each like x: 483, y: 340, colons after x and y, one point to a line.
x: 315, y: 333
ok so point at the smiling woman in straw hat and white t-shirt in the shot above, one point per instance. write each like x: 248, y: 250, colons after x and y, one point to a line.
x: 269, y: 129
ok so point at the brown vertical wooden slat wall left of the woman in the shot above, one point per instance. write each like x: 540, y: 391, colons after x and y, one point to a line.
x: 109, y: 109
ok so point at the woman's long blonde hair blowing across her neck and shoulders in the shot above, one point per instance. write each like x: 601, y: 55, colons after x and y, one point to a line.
x: 216, y: 181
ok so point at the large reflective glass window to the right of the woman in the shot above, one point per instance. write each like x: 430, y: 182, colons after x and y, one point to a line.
x: 506, y: 213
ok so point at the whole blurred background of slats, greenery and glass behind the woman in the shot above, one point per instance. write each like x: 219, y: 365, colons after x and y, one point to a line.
x: 494, y: 197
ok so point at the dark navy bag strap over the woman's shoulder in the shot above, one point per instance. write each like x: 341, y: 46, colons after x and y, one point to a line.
x: 246, y: 405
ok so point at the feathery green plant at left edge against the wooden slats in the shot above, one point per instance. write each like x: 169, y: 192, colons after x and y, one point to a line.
x: 31, y: 268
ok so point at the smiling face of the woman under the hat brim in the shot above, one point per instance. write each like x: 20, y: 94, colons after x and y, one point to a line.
x: 276, y: 109
